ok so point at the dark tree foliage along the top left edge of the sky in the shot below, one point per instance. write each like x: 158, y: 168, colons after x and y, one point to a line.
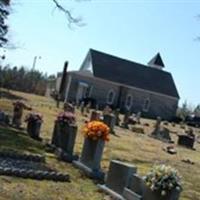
x: 4, y: 5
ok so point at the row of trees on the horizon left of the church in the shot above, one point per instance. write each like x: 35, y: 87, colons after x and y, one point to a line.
x: 23, y: 79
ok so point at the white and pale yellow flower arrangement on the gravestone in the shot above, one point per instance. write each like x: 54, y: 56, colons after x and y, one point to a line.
x: 163, y: 179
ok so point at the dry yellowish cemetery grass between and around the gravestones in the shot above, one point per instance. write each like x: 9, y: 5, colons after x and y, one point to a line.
x: 138, y: 149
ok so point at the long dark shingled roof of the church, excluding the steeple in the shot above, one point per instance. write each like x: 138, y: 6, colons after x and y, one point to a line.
x: 130, y: 73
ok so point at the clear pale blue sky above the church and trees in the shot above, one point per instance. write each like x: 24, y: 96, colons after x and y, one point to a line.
x: 132, y: 29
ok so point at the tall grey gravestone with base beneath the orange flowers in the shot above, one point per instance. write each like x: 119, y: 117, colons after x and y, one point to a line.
x: 90, y: 160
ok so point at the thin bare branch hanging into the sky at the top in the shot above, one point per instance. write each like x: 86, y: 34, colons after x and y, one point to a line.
x: 71, y: 19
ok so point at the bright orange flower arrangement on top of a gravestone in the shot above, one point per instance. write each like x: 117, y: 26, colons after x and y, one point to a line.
x: 96, y: 130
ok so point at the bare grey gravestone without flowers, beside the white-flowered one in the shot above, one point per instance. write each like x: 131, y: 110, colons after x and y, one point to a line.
x: 118, y: 178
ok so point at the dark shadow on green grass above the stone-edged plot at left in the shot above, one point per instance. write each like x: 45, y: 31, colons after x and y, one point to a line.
x: 13, y: 140
